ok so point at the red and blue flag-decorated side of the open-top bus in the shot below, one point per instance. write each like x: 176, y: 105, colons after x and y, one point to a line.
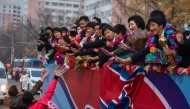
x: 115, y: 88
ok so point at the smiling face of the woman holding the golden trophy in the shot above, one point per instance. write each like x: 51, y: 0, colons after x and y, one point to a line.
x: 156, y: 29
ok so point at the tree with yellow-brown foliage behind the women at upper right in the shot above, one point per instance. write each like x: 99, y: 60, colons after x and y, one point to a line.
x: 177, y: 12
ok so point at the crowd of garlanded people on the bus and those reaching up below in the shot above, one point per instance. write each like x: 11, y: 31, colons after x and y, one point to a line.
x: 155, y: 43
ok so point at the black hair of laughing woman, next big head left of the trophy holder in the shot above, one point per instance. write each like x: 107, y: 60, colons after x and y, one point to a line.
x: 138, y: 20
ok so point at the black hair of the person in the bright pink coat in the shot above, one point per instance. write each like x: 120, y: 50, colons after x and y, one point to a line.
x: 27, y: 98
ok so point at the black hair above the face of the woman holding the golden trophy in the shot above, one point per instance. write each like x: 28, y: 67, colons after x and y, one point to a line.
x: 158, y: 17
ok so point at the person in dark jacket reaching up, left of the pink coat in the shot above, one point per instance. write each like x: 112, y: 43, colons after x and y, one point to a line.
x: 16, y: 95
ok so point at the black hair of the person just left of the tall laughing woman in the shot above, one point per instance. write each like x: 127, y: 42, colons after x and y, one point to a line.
x: 119, y: 28
